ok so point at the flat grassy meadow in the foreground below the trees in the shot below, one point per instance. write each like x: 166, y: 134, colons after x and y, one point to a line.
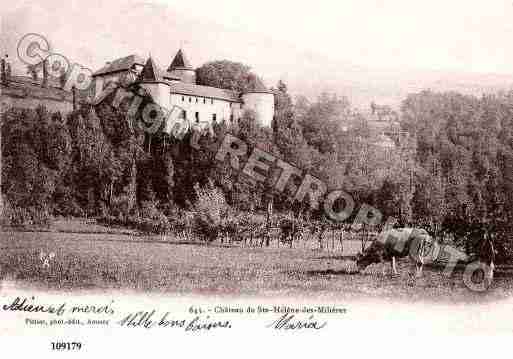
x: 103, y: 262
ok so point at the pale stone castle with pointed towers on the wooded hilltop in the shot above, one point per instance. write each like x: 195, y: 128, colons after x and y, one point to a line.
x: 177, y: 86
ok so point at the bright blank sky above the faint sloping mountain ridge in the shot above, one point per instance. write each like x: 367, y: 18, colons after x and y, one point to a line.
x: 458, y: 35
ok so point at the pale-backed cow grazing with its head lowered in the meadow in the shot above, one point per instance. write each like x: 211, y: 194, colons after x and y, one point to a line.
x: 397, y: 243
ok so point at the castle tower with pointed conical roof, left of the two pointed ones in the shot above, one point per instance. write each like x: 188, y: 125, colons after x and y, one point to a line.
x: 152, y: 80
